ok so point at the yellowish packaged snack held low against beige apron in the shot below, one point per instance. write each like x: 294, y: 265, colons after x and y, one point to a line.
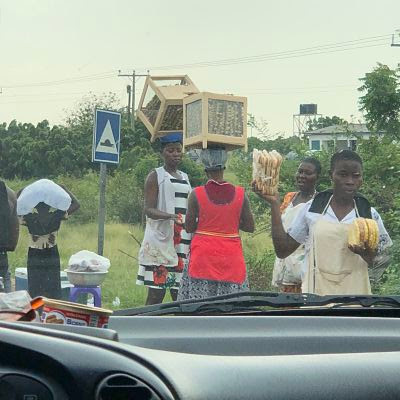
x: 364, y: 233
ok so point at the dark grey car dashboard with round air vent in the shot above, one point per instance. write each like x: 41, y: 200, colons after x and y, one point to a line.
x: 203, y: 357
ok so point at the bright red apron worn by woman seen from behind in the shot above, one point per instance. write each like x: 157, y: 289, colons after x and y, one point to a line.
x: 216, y: 249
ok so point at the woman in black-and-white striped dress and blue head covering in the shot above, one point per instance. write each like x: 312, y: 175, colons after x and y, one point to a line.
x: 166, y: 243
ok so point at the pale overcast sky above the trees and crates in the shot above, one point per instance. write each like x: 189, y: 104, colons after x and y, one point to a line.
x: 279, y: 54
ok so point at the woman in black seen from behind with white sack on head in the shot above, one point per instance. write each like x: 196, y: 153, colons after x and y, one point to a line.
x: 42, y: 206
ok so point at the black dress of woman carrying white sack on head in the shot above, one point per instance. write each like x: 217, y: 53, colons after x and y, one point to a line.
x: 44, y: 262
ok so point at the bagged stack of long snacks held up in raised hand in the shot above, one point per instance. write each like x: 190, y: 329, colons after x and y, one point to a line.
x: 266, y: 167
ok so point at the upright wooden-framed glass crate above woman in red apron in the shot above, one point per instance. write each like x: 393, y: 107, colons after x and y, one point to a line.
x: 196, y: 132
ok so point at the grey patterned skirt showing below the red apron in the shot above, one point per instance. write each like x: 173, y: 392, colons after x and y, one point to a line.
x: 192, y: 288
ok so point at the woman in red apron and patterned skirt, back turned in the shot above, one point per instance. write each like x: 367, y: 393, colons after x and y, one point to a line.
x: 216, y: 212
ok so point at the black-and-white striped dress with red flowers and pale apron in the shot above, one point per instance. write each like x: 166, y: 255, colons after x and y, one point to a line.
x: 157, y: 267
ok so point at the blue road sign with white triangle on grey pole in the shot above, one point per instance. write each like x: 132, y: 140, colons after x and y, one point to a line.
x: 106, y: 146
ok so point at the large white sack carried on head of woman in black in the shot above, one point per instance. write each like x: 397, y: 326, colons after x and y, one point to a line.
x: 46, y: 191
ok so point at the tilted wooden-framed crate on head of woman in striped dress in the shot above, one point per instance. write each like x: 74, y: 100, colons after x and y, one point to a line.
x: 167, y: 103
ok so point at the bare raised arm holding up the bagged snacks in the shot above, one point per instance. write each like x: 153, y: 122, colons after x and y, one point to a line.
x: 284, y: 244
